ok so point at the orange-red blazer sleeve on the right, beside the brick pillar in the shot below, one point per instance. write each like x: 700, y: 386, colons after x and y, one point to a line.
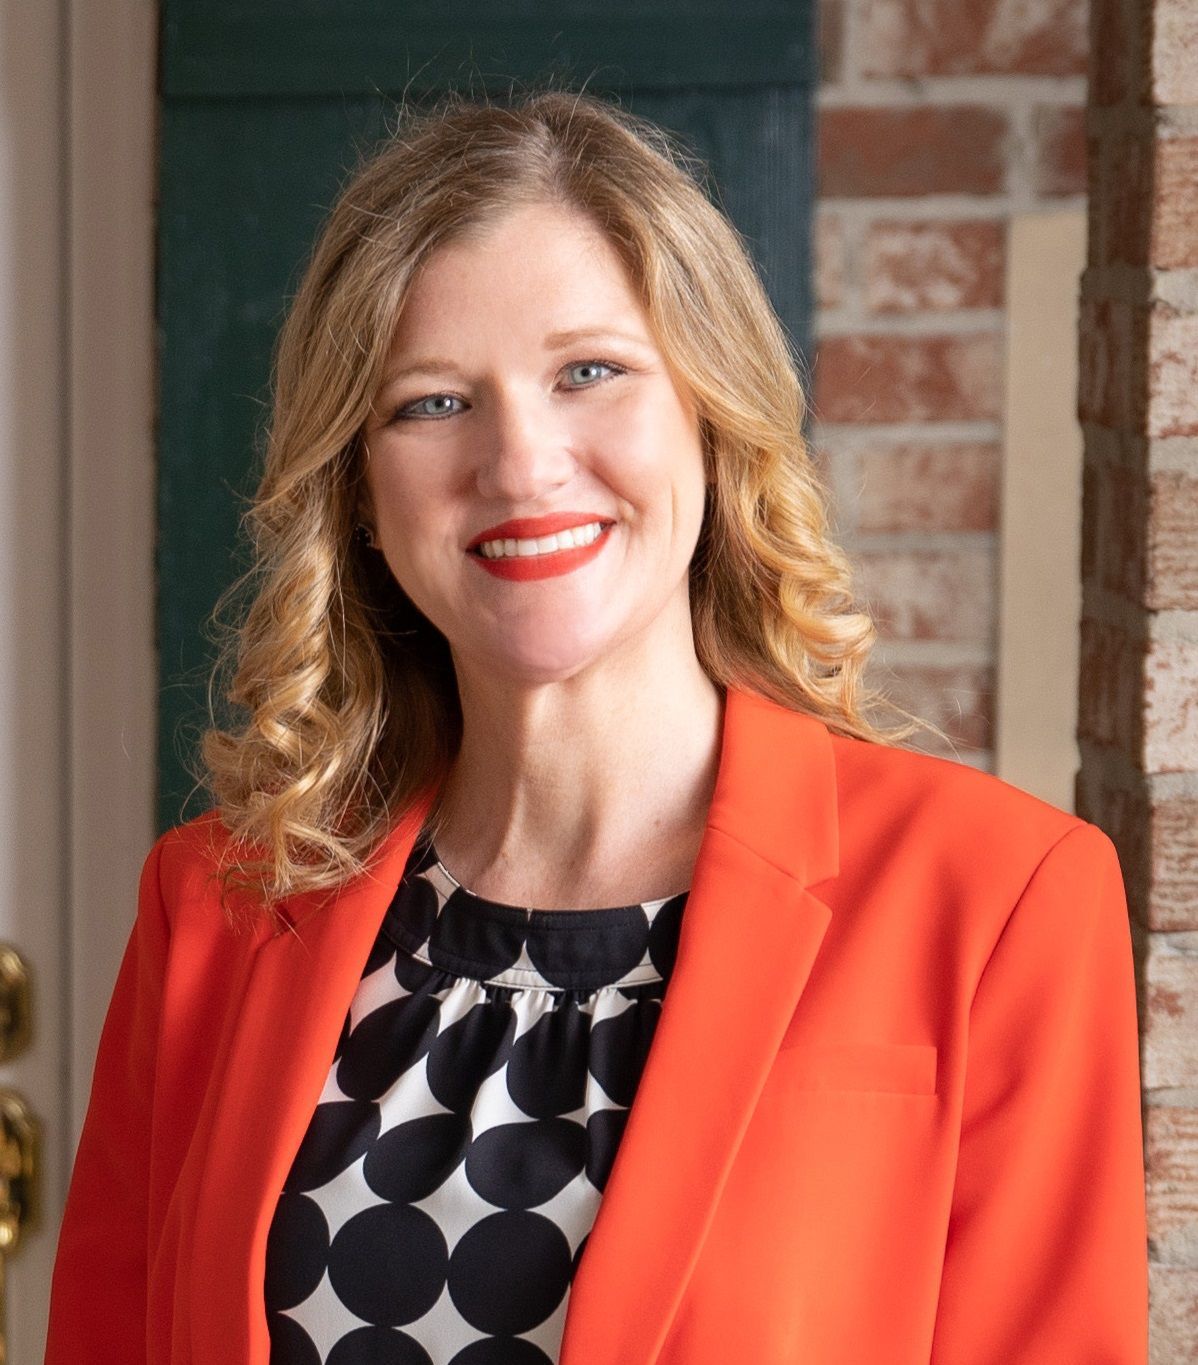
x: 1047, y: 1251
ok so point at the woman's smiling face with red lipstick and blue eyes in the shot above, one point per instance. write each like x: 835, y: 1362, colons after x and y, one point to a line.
x: 525, y: 383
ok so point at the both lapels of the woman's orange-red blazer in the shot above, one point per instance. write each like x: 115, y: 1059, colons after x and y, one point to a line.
x: 750, y: 937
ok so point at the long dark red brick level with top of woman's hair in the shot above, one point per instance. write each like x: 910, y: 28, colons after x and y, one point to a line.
x: 866, y: 152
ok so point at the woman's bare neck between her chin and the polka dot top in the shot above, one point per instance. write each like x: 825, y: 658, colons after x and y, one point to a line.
x: 581, y: 775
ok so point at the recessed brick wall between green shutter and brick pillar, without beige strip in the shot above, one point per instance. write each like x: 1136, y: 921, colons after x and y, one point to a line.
x: 939, y: 119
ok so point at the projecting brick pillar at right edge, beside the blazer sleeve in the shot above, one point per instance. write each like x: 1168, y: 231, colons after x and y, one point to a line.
x: 1140, y: 631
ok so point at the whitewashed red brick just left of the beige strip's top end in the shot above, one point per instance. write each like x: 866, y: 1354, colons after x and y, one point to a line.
x: 916, y: 267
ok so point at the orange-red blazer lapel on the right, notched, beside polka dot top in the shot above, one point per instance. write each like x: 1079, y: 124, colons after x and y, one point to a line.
x: 751, y: 933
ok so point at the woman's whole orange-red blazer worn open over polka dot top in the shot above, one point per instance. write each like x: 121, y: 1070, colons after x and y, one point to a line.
x: 892, y: 1112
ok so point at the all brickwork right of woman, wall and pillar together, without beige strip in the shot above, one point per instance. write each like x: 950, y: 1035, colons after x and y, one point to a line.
x: 939, y: 121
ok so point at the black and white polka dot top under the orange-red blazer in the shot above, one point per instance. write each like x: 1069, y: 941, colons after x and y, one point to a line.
x: 441, y: 1199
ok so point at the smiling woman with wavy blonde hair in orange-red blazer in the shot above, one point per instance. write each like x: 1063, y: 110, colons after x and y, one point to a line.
x: 555, y: 784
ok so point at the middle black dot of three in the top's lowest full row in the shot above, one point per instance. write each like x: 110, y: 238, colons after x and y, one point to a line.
x: 388, y: 1265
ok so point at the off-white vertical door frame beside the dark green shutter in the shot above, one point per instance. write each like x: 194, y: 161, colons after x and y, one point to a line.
x: 113, y: 102
